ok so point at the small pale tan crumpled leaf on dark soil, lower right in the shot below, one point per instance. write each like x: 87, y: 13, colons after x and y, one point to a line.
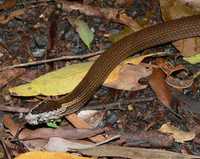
x: 179, y: 135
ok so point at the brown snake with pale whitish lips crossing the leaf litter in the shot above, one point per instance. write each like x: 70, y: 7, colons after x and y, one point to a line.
x: 130, y: 45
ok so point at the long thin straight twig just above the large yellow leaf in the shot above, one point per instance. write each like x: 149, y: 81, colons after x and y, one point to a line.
x: 52, y: 60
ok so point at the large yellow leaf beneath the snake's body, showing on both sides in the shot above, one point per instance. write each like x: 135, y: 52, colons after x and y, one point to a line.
x: 64, y: 80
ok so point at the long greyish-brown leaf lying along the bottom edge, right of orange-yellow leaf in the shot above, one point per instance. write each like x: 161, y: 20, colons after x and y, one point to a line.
x: 134, y: 153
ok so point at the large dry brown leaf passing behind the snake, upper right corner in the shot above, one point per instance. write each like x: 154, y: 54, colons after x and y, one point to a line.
x: 174, y: 9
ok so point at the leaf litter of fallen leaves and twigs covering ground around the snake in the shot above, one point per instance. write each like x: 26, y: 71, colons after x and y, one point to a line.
x: 52, y: 31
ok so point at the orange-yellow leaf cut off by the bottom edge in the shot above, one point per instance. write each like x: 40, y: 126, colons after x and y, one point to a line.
x: 48, y: 155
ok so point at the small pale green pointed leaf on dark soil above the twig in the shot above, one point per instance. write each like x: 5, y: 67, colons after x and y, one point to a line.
x: 84, y: 31
